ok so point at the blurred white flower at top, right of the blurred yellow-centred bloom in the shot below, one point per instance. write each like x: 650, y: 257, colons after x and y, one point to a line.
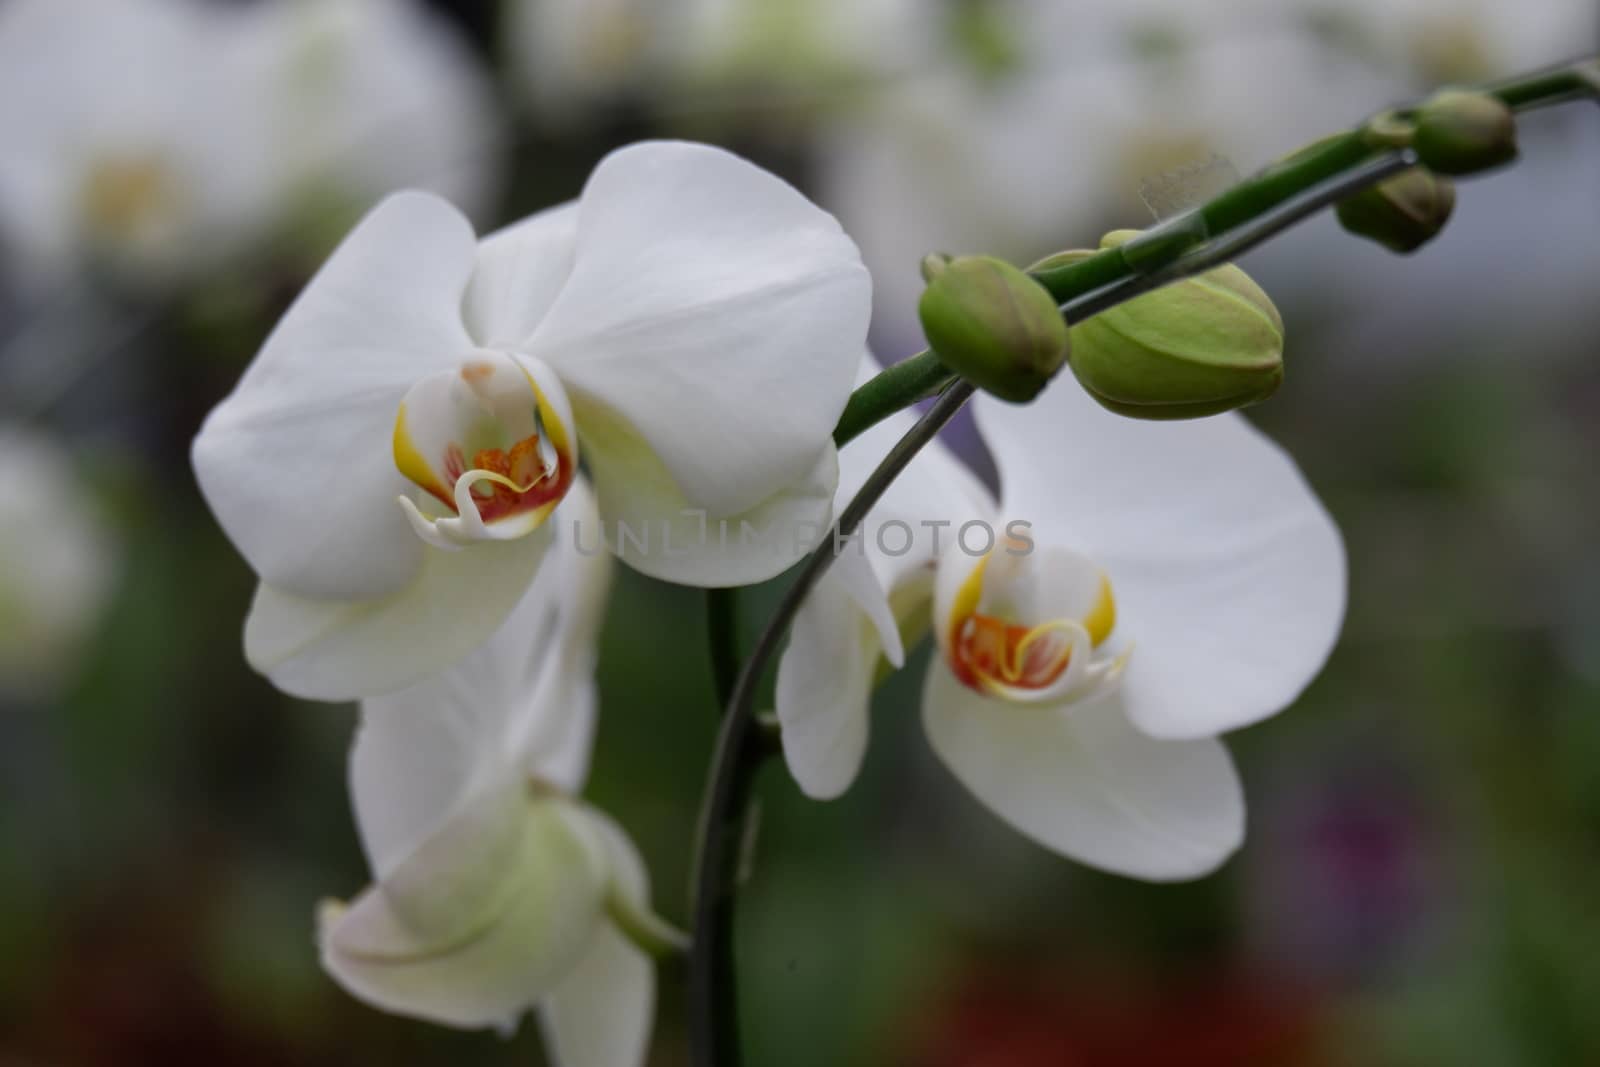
x: 367, y: 97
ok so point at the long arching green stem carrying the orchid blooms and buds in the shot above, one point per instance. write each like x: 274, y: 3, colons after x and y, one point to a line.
x: 1233, y: 223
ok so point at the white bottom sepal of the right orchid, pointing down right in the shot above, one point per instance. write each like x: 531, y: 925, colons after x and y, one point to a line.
x: 1086, y: 785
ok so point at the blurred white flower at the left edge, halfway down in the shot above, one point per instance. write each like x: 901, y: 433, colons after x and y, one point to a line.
x: 58, y: 562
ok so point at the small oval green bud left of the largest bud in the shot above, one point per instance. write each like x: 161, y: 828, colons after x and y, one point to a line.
x: 993, y: 326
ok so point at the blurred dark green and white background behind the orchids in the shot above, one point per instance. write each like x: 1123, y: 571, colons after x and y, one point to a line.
x: 1422, y: 882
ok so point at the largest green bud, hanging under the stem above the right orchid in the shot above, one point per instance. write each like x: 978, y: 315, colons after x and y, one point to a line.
x: 1194, y: 348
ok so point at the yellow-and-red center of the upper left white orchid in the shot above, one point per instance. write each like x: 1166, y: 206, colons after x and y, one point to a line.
x: 490, y: 444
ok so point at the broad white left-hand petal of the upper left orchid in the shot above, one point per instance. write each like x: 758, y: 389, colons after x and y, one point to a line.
x: 297, y: 460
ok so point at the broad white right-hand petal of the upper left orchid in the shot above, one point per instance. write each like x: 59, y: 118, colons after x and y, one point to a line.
x: 718, y: 313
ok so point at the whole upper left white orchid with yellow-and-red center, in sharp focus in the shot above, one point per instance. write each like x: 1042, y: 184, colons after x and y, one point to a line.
x: 390, y: 460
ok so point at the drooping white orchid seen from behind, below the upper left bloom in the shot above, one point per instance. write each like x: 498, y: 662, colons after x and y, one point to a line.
x: 495, y: 889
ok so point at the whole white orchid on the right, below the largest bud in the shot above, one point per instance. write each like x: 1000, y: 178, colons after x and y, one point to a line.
x: 1170, y: 581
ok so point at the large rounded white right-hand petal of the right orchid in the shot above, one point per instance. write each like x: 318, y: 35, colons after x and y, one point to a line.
x: 1230, y: 573
